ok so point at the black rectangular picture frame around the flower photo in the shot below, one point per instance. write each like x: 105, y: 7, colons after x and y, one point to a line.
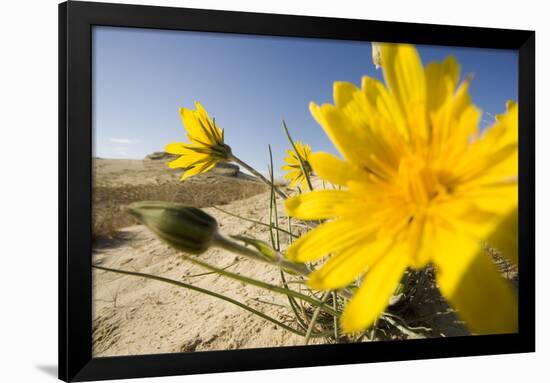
x: 75, y: 210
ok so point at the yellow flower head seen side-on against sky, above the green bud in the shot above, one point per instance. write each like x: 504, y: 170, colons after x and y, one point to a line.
x: 206, y: 147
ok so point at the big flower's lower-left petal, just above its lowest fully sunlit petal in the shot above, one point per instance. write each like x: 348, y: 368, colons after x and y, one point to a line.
x: 349, y: 264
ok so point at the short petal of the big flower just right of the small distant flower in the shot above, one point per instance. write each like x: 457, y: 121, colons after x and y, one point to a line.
x: 333, y: 169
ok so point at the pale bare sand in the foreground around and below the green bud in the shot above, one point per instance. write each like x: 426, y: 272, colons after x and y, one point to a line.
x: 137, y: 316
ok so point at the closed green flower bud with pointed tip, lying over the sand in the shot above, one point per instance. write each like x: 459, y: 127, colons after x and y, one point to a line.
x: 185, y: 228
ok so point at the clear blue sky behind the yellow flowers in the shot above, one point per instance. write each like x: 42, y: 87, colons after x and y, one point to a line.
x: 249, y: 84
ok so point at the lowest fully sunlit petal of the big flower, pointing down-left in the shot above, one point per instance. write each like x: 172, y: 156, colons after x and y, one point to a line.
x: 375, y: 292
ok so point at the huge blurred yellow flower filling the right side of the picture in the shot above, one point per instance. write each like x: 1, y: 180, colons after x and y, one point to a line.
x: 422, y: 185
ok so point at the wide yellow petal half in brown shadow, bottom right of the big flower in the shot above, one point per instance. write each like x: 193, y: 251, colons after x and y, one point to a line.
x: 471, y: 283
